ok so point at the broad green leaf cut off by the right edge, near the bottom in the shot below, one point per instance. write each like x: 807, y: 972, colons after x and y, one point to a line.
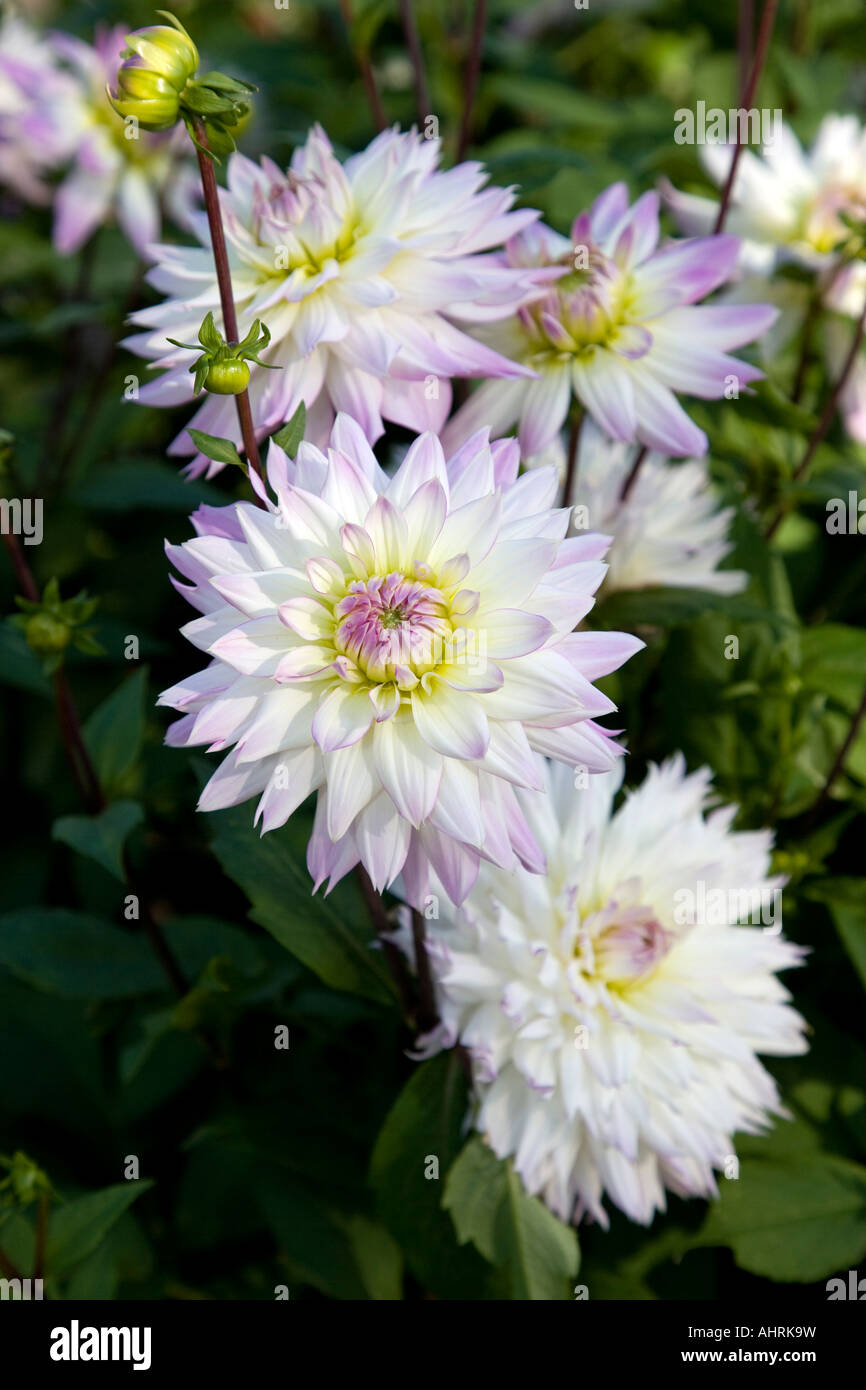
x: 797, y: 1221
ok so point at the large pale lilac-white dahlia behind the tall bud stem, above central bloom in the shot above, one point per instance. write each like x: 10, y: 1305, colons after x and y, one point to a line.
x: 359, y: 270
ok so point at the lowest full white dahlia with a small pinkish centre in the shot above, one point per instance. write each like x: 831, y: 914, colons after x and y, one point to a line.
x: 614, y: 1010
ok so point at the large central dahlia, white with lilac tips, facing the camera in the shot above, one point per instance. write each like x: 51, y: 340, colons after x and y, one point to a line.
x: 401, y: 647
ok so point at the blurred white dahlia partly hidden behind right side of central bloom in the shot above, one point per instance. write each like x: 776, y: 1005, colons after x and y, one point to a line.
x: 669, y: 530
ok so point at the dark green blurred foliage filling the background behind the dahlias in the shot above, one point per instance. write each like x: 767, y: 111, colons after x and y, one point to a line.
x: 304, y: 1166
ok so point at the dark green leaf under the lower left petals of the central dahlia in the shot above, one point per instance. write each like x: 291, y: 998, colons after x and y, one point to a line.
x: 330, y: 942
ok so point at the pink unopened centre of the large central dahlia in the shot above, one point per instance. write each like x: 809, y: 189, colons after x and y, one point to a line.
x: 393, y: 628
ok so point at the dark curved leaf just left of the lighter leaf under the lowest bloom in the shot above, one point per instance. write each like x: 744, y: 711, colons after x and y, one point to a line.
x: 414, y: 1153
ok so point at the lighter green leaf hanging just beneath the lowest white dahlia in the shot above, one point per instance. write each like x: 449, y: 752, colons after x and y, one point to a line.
x: 490, y: 1207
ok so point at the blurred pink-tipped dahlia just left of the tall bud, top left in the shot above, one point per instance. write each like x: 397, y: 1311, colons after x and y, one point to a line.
x: 115, y: 177
